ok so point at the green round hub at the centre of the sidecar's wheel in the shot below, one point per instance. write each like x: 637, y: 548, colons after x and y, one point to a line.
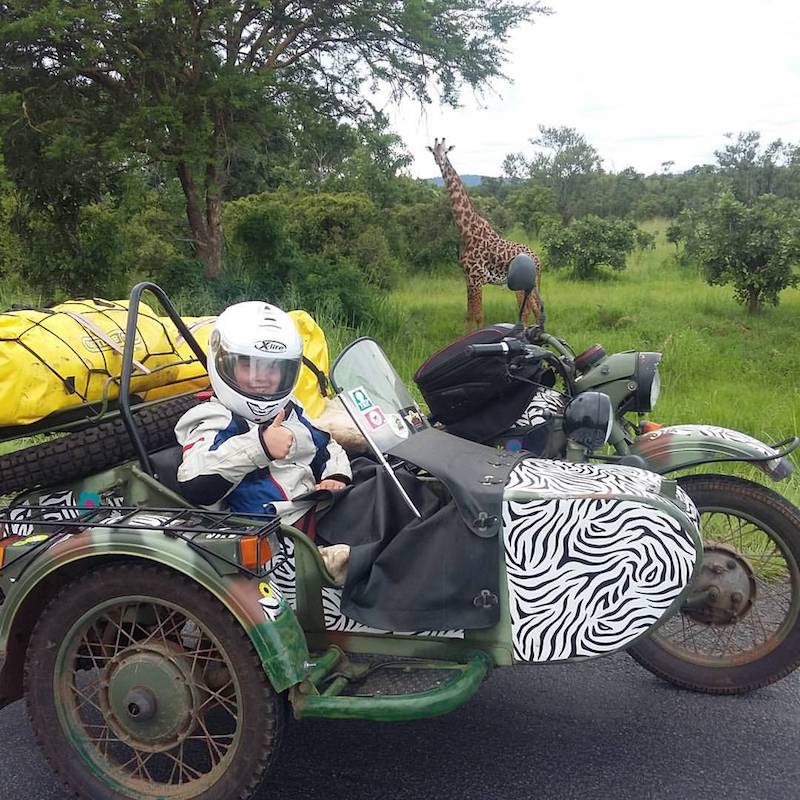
x: 148, y: 697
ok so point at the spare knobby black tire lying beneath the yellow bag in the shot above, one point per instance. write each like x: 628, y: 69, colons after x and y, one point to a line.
x: 90, y: 450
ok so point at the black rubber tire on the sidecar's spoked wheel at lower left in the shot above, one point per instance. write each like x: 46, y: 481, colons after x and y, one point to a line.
x: 263, y: 711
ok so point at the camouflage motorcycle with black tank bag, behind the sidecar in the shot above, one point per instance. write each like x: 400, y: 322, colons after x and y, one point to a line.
x: 495, y: 386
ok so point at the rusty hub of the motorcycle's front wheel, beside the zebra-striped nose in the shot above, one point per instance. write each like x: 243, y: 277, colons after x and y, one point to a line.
x: 728, y: 585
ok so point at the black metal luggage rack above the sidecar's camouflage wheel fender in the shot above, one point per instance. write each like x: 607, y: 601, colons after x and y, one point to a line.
x: 60, y: 521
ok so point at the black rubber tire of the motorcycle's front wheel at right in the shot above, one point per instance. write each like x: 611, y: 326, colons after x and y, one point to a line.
x: 709, y: 491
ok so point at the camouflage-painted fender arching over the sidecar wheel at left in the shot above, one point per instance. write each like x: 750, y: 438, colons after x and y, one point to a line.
x: 258, y: 606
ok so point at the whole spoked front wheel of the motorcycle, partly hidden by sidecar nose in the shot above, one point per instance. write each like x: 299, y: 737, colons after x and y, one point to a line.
x: 748, y: 634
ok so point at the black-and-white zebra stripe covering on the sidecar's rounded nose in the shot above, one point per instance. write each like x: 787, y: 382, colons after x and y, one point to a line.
x: 588, y: 574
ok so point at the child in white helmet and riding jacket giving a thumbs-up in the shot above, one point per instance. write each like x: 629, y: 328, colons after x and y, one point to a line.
x: 250, y: 447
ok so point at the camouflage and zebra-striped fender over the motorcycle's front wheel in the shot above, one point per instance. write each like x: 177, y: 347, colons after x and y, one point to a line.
x: 681, y: 446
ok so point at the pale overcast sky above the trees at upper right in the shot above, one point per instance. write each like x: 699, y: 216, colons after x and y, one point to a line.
x: 645, y: 81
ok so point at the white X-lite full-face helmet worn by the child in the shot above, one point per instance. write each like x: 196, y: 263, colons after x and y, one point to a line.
x: 254, y: 357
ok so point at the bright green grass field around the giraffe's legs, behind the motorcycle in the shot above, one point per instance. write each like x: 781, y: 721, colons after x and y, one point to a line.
x: 720, y: 366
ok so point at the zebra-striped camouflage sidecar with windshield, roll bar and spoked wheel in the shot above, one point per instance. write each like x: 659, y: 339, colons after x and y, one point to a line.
x: 162, y: 644
